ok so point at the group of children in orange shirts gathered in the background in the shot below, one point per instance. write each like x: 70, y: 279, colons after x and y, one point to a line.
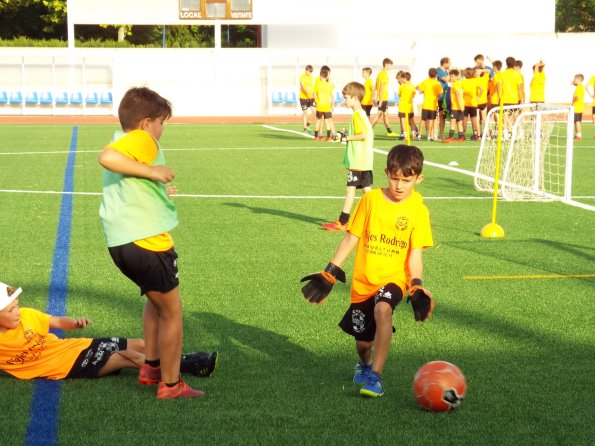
x: 460, y: 96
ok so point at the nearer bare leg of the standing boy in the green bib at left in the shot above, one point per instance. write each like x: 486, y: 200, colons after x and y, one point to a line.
x: 169, y: 309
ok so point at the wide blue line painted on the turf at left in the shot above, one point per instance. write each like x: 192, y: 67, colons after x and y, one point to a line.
x: 43, y: 414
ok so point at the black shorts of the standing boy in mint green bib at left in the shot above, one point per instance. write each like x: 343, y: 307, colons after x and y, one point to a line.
x: 150, y: 270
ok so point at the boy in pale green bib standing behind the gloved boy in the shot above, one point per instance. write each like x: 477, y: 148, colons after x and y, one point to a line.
x: 359, y: 153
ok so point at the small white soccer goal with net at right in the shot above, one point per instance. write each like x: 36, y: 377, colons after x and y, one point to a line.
x: 536, y: 153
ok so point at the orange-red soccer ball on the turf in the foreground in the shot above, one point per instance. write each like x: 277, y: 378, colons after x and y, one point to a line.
x: 439, y: 386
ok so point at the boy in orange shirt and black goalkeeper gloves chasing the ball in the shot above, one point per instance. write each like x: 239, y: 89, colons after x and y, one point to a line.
x: 389, y: 230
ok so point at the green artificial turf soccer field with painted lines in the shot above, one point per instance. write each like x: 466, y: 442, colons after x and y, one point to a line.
x: 515, y: 314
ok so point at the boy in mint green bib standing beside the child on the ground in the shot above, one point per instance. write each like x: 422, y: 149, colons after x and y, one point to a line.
x: 137, y: 214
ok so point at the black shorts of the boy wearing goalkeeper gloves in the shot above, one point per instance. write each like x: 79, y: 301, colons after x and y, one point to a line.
x: 359, y: 320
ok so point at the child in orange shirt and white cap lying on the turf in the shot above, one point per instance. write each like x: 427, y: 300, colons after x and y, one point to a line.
x: 28, y: 350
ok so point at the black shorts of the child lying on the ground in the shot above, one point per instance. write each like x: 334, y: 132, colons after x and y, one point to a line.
x: 93, y: 358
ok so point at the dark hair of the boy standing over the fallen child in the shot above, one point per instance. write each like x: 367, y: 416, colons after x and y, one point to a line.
x: 139, y: 103
